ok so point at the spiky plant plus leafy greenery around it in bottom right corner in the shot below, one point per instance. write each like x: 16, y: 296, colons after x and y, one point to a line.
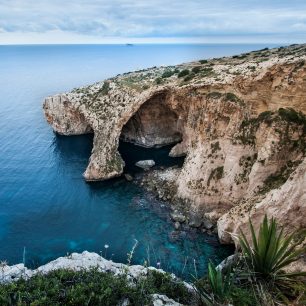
x: 257, y: 276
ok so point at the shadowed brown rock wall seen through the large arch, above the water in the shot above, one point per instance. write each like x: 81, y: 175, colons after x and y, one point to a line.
x: 153, y: 125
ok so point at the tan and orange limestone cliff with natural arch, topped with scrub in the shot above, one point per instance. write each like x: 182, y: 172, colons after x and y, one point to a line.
x: 239, y: 120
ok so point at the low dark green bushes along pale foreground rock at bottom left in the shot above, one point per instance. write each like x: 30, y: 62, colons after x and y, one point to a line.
x: 67, y: 287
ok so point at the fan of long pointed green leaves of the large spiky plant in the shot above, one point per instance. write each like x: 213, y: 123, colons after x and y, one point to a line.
x: 270, y: 251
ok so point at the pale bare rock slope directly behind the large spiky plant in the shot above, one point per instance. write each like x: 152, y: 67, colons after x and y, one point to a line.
x: 287, y: 204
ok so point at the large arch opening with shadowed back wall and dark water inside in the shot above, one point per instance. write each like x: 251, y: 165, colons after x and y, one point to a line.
x: 150, y: 134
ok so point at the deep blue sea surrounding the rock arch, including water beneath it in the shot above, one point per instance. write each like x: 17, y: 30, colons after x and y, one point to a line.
x: 46, y: 208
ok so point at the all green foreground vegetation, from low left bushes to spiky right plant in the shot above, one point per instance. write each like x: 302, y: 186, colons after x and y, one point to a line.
x: 256, y: 277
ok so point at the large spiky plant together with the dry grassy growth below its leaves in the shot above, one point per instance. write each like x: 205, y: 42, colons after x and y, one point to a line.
x: 266, y: 258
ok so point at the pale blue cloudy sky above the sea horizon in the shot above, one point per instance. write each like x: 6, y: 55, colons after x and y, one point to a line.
x: 152, y: 21
